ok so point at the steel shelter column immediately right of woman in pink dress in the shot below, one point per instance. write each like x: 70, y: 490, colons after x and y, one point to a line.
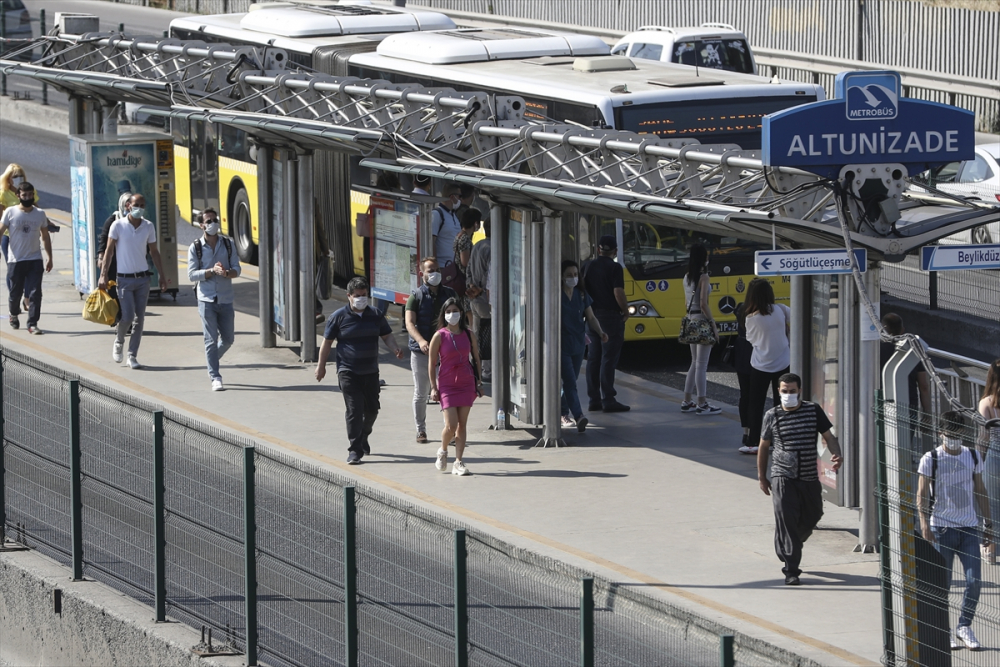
x: 500, y: 320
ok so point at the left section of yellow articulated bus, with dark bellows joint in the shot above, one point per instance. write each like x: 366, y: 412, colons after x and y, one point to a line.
x: 215, y: 164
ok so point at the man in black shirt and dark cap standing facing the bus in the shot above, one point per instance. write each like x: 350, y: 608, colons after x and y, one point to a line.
x: 605, y: 283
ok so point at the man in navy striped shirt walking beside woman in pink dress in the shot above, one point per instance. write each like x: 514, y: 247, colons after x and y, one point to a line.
x: 357, y: 328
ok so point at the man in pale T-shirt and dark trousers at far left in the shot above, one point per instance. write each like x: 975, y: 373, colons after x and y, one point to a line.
x: 28, y: 227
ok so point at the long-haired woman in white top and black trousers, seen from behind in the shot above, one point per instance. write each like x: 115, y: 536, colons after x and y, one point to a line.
x: 768, y: 326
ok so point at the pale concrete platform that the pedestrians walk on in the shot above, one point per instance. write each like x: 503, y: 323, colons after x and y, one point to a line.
x: 651, y: 498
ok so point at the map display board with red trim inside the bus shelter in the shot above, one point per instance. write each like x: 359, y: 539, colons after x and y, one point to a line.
x: 394, y: 251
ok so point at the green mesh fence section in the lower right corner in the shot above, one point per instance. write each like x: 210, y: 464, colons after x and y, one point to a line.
x: 922, y: 594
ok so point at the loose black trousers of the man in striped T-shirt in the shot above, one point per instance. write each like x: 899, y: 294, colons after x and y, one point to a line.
x: 798, y: 507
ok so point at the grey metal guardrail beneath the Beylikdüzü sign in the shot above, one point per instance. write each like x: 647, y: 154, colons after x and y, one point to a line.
x: 973, y: 292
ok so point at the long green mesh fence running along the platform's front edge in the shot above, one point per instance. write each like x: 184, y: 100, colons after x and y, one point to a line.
x: 289, y: 564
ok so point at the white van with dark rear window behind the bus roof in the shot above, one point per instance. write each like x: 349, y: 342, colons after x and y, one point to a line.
x: 712, y: 45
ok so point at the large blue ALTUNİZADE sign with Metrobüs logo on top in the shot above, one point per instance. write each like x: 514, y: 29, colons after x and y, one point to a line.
x: 868, y: 122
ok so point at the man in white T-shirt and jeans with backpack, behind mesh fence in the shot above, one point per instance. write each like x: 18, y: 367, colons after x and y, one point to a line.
x: 950, y: 489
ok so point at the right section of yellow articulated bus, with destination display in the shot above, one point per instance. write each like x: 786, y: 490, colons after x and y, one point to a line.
x: 567, y: 78
